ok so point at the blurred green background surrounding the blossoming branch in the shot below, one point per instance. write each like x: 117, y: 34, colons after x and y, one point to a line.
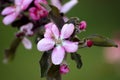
x: 102, y: 16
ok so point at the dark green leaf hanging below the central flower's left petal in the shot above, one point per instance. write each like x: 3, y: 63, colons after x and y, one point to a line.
x: 45, y: 63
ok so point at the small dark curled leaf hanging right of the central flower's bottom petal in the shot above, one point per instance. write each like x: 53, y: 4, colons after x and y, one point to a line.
x: 77, y: 58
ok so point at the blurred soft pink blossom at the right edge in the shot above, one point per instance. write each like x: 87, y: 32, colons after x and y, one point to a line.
x: 112, y: 54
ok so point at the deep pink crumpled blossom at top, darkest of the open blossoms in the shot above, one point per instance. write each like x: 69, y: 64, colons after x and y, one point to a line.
x: 38, y: 12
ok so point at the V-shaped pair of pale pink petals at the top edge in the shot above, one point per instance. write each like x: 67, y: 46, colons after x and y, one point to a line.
x: 66, y: 7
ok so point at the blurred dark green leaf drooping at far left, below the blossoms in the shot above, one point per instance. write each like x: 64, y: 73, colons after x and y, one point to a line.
x: 10, y: 52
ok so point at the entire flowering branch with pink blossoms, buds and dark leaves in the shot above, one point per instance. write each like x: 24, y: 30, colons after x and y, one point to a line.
x: 56, y: 34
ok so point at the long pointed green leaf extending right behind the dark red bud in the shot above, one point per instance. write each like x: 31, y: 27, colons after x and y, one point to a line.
x: 101, y: 41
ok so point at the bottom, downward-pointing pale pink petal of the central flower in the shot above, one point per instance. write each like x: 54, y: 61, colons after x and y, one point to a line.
x: 58, y: 55
